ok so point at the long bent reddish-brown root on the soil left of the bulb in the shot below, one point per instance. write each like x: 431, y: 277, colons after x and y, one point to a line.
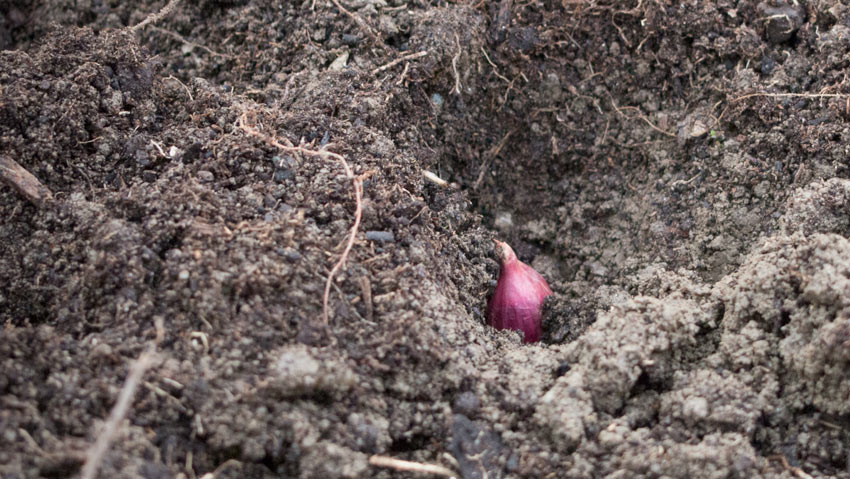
x: 357, y: 182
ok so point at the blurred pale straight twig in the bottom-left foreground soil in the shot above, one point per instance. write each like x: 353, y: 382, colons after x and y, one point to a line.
x: 97, y: 451
